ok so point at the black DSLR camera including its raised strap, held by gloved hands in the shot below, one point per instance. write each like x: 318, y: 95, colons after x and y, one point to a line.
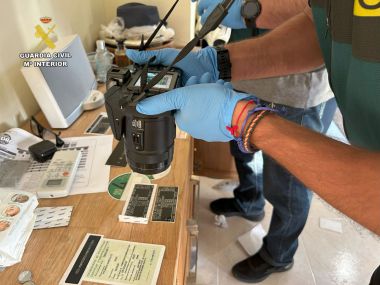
x: 149, y: 140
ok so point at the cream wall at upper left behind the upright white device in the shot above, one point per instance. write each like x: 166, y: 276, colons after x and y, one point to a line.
x: 17, y: 21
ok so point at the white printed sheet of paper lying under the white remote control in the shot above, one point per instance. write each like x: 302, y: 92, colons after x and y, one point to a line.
x: 92, y: 175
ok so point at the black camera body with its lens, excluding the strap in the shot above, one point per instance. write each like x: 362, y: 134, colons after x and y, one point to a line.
x: 148, y: 140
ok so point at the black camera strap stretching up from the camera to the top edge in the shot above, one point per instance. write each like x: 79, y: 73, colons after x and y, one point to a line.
x: 212, y: 22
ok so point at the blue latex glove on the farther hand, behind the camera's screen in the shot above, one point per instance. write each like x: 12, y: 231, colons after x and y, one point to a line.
x: 194, y: 64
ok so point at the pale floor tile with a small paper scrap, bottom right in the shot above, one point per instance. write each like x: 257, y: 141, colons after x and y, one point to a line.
x: 339, y: 259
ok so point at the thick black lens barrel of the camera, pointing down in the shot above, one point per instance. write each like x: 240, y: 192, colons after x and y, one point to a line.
x: 149, y: 141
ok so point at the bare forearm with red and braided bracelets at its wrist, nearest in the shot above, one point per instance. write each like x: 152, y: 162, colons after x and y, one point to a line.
x: 346, y: 177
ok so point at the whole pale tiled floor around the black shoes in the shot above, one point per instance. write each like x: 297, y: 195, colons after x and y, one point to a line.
x: 323, y: 257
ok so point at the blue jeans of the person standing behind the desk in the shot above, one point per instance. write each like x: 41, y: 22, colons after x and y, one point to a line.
x: 289, y: 197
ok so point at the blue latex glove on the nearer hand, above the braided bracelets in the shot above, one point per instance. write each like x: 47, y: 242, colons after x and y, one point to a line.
x: 203, y: 110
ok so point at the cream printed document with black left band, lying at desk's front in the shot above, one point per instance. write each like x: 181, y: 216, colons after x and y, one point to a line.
x: 109, y: 261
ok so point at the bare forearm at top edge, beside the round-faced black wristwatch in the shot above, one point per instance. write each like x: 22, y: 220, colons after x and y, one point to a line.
x: 275, y: 12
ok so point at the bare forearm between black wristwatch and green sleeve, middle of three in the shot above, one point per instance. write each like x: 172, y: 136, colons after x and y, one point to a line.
x: 290, y: 48
